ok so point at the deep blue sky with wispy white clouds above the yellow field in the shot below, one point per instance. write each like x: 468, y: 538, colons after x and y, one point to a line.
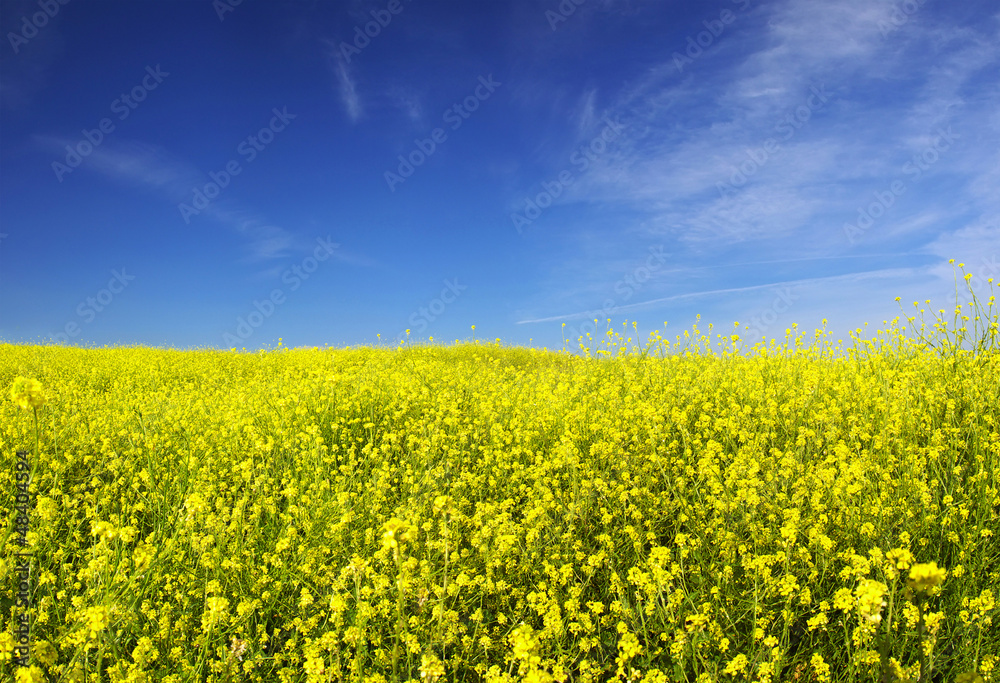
x: 212, y: 174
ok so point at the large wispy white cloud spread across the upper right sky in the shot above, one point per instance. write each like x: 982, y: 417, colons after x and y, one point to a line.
x: 688, y: 133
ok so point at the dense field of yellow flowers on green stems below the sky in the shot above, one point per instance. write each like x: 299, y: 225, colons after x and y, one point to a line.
x: 805, y: 510
